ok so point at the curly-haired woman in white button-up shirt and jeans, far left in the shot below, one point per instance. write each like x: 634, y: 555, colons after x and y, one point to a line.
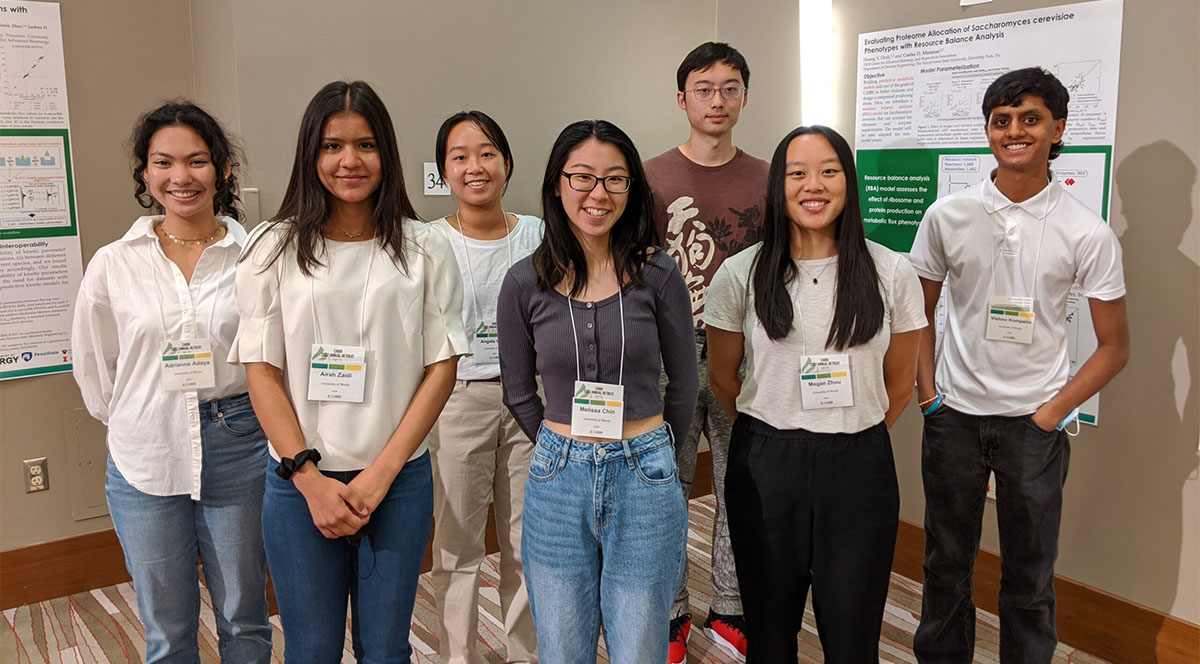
x: 187, y: 453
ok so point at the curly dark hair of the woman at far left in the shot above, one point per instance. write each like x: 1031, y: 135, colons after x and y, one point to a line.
x: 223, y: 151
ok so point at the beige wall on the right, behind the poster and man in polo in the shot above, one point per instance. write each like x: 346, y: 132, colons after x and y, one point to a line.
x: 1132, y: 513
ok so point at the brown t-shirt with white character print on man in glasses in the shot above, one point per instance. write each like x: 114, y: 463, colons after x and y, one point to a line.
x: 705, y: 214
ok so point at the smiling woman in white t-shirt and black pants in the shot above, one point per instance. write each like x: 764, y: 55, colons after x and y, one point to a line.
x: 829, y: 325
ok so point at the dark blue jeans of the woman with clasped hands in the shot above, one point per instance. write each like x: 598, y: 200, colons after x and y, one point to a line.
x: 314, y: 576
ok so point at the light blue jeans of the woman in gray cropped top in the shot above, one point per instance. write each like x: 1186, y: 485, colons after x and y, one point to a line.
x: 605, y: 539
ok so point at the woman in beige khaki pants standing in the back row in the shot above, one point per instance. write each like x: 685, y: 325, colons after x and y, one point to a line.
x: 481, y: 456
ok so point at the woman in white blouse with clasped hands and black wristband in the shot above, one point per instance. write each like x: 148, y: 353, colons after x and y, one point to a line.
x: 351, y: 331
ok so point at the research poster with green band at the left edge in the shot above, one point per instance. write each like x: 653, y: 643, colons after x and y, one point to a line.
x: 40, y: 258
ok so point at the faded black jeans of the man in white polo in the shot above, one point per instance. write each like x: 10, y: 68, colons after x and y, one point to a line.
x: 1030, y: 466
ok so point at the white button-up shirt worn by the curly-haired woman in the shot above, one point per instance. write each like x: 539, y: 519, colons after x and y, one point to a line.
x: 131, y: 302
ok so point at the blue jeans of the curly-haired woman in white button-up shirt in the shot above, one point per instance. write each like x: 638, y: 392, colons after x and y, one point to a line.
x: 161, y: 537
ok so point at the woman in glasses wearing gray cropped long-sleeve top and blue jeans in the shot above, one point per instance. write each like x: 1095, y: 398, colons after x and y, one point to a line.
x: 597, y: 312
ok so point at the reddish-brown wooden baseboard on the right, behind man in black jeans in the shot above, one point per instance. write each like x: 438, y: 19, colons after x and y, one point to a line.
x: 1089, y: 619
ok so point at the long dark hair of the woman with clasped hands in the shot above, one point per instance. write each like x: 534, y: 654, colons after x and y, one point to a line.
x: 307, y: 204
